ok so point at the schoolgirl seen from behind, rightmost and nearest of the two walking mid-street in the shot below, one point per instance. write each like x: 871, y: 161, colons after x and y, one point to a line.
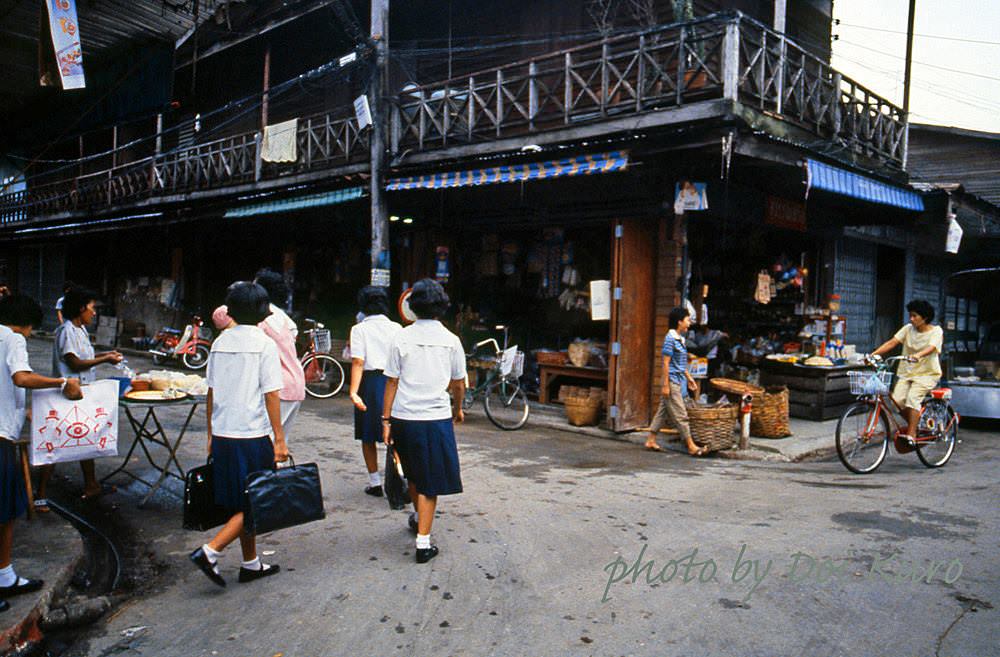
x: 426, y: 362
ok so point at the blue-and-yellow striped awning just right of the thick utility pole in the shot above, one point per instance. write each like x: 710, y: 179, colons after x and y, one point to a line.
x: 571, y: 166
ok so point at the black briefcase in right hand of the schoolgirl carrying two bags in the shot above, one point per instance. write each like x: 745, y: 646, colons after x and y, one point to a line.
x: 283, y: 497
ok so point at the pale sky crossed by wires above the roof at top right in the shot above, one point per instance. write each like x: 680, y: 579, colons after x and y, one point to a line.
x: 956, y: 55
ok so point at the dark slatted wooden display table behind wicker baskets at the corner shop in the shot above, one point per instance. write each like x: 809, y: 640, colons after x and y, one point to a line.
x: 814, y: 393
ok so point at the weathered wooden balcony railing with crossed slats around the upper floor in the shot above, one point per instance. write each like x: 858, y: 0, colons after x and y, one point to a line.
x: 723, y: 56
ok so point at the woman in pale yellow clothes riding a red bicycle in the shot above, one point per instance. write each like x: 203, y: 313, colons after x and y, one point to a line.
x: 921, y: 370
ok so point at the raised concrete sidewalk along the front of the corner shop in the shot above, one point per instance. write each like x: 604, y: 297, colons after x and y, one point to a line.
x: 808, y: 440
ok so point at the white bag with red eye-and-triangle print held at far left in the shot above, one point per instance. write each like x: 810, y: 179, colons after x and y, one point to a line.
x: 64, y: 430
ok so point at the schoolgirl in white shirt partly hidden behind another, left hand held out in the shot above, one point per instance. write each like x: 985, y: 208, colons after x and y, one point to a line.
x: 370, y: 341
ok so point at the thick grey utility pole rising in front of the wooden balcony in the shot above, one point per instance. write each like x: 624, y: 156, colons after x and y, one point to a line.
x: 381, y: 263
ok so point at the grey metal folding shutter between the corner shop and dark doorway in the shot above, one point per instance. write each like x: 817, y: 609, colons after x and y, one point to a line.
x: 854, y: 281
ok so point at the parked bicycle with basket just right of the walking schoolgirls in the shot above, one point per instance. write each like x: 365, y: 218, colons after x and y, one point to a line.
x: 504, y: 400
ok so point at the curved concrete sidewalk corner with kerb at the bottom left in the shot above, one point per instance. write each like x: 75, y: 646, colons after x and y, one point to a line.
x: 48, y: 548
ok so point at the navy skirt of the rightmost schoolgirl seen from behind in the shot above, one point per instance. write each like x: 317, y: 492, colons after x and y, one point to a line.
x: 429, y: 455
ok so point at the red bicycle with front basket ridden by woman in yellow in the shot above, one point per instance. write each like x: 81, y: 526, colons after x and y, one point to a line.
x: 866, y: 427
